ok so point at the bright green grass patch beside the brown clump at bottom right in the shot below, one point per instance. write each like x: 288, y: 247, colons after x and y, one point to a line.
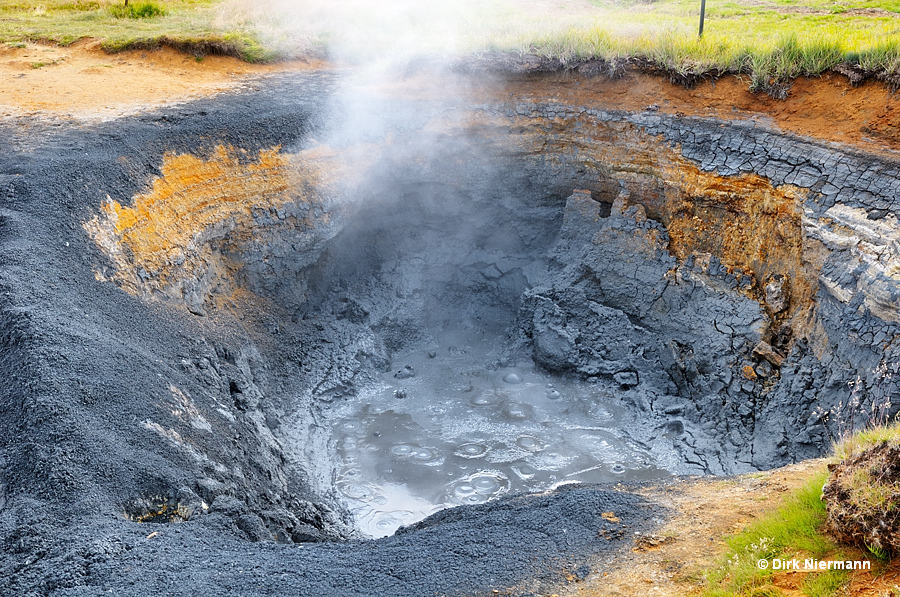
x: 793, y: 530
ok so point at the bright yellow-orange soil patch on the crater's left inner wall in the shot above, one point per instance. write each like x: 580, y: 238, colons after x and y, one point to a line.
x: 162, y: 239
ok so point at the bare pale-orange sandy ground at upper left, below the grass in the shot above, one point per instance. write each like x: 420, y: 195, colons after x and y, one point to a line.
x: 84, y: 82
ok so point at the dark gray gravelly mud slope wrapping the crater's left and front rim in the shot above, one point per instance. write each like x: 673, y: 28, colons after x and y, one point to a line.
x: 84, y: 364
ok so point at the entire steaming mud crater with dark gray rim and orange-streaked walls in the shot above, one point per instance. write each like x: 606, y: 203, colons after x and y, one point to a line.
x: 308, y: 337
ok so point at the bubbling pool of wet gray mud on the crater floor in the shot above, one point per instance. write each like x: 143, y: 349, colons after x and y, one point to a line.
x: 445, y: 430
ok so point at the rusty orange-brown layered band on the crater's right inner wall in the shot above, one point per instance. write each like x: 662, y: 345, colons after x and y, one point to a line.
x: 750, y: 225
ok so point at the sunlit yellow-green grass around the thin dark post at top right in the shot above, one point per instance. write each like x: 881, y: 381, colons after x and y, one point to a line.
x: 772, y: 43
